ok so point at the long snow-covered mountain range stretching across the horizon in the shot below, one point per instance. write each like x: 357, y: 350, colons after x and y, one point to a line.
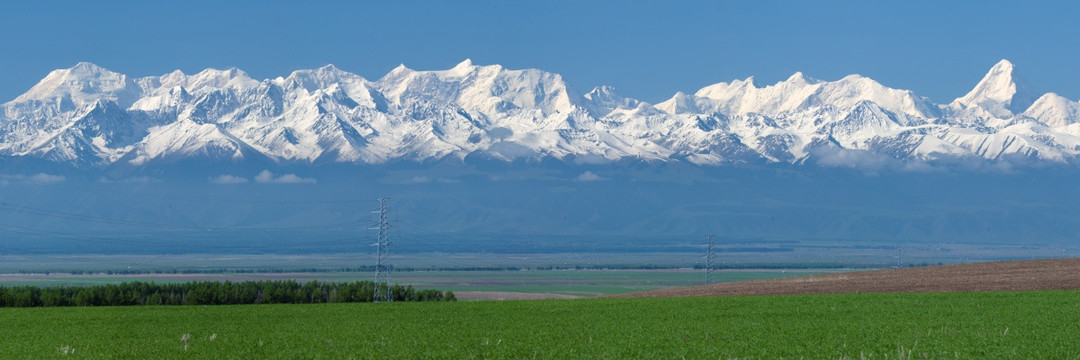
x: 91, y: 117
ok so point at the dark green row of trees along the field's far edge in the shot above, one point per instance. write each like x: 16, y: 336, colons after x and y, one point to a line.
x: 211, y: 294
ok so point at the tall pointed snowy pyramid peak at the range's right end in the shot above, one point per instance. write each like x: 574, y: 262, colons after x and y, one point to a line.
x: 1003, y: 92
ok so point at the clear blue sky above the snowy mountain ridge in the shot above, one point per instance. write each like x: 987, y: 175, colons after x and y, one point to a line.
x: 649, y: 51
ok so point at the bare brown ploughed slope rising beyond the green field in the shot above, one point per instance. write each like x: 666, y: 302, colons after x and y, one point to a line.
x: 1063, y: 274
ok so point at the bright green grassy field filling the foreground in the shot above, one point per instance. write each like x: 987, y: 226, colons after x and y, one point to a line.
x: 957, y: 326
